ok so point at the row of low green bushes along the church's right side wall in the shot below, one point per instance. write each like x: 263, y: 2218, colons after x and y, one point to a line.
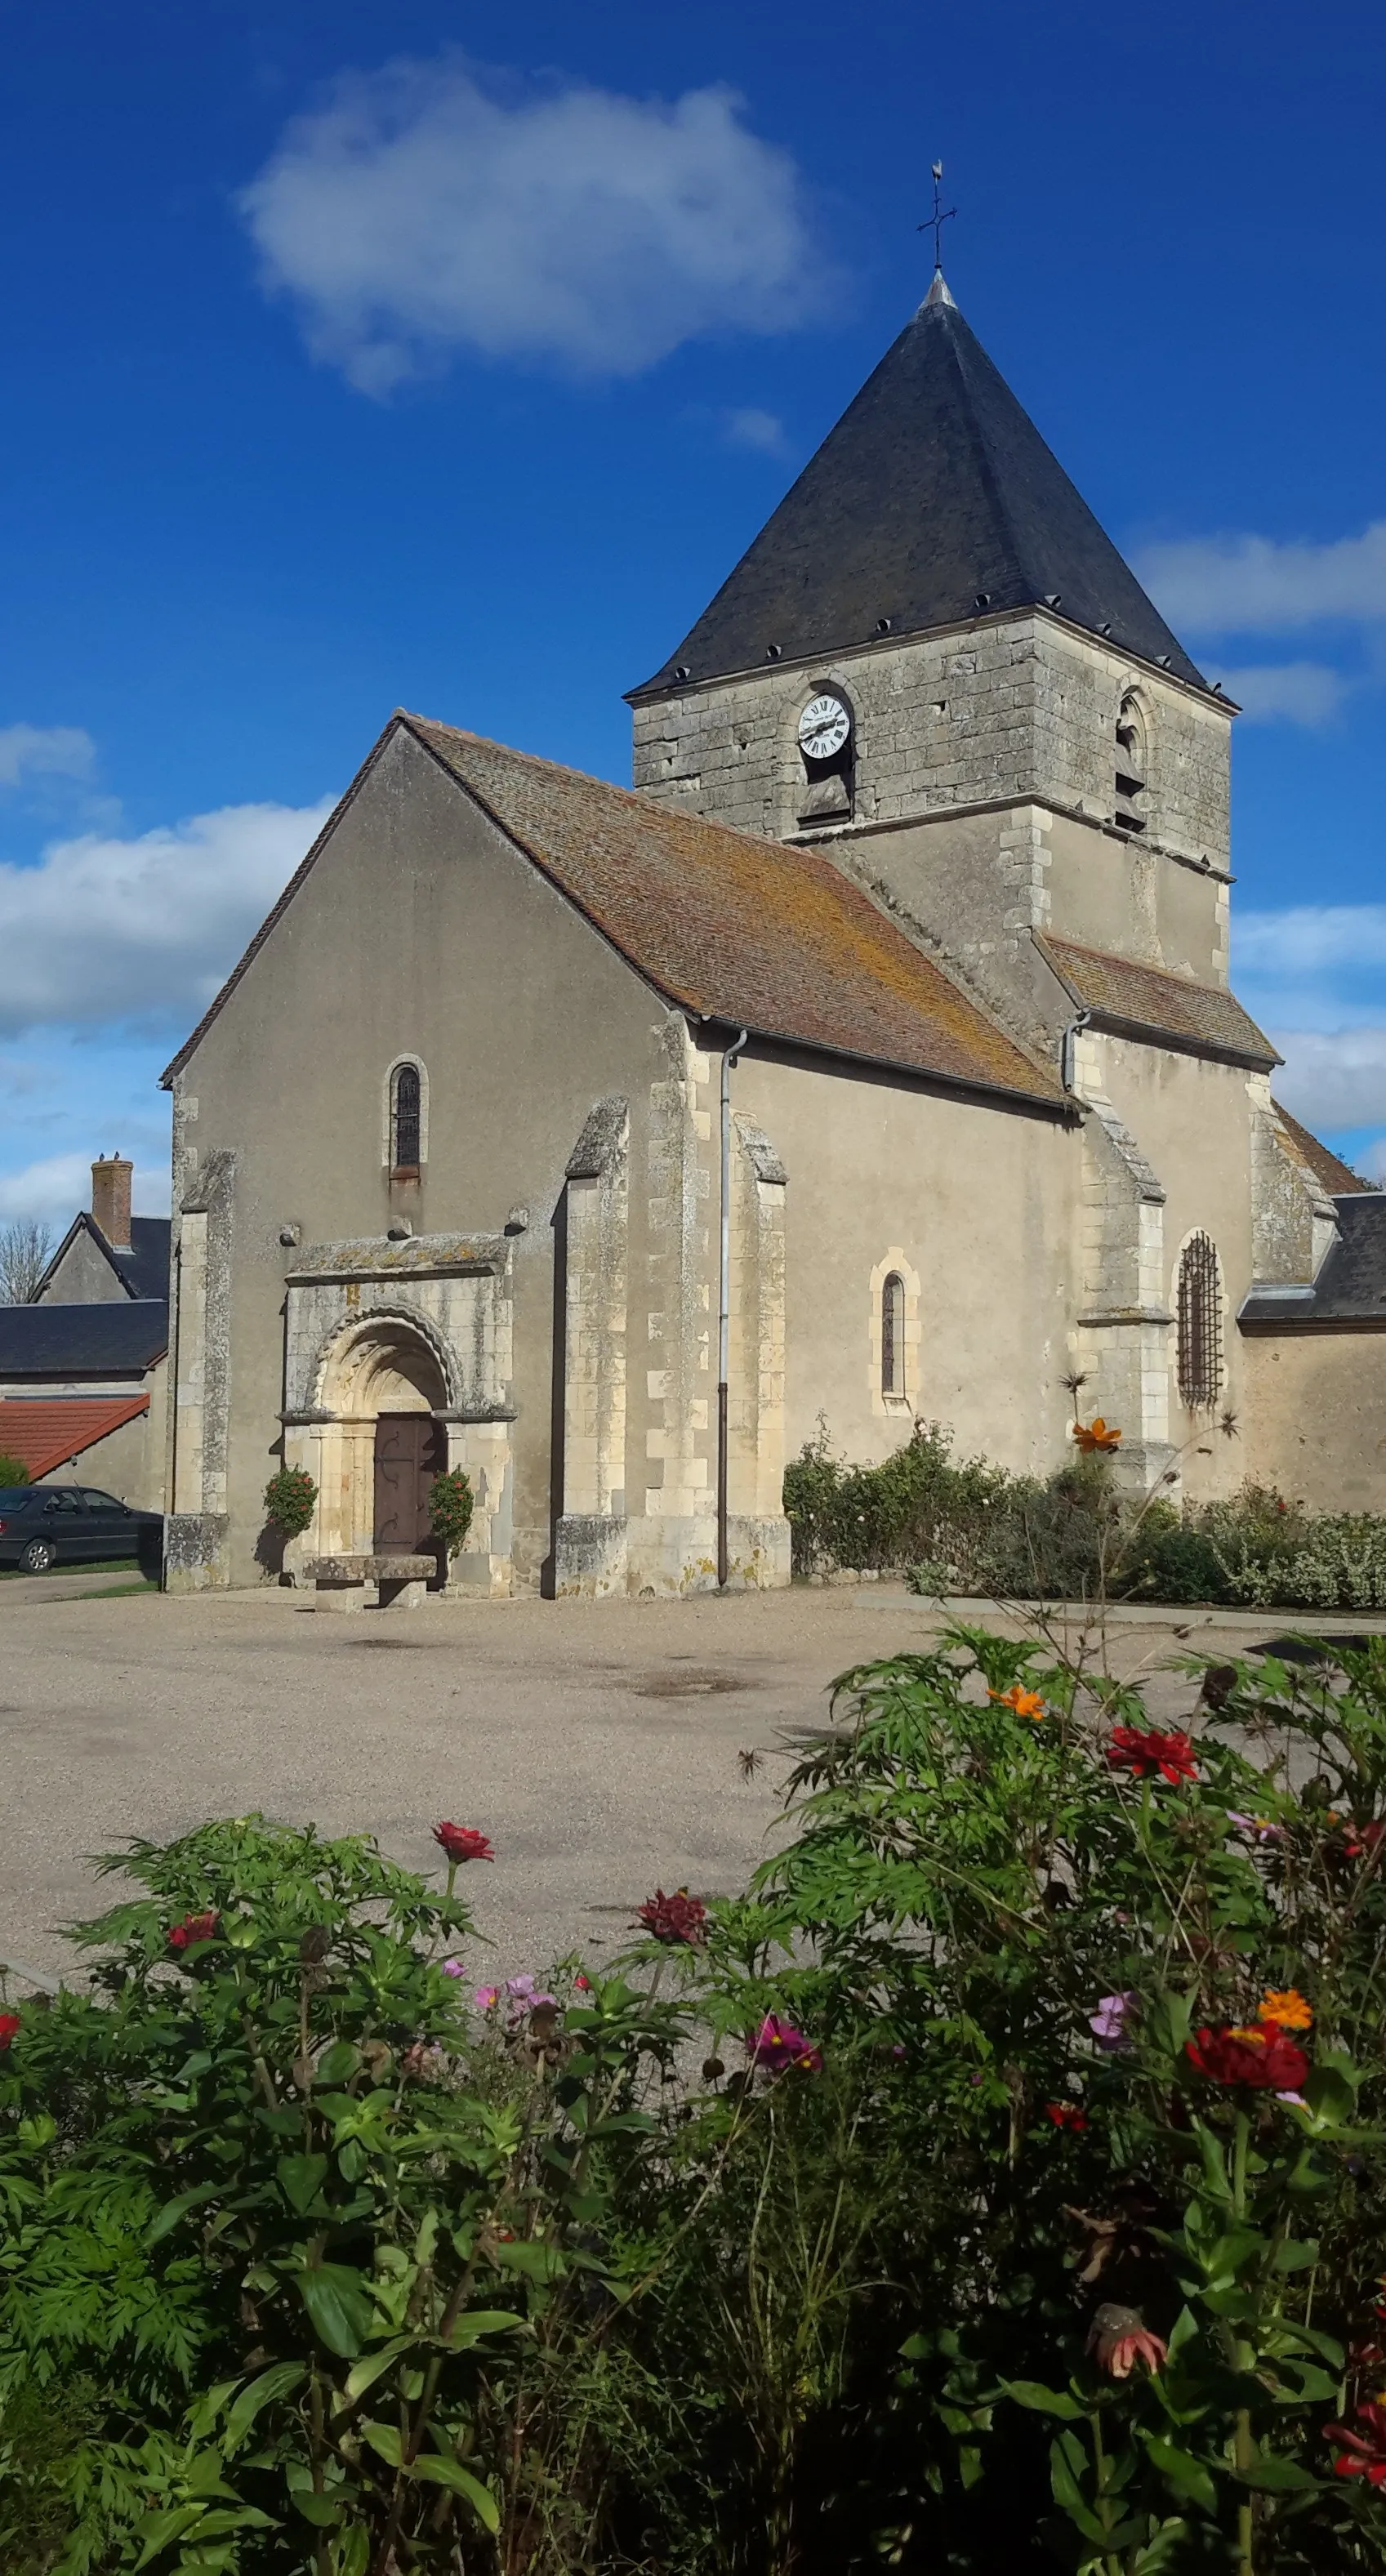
x: 978, y: 1529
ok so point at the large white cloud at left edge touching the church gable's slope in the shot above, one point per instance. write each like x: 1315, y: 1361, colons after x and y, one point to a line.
x: 143, y: 931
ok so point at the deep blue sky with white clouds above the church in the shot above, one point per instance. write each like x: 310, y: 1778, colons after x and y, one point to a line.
x: 450, y: 357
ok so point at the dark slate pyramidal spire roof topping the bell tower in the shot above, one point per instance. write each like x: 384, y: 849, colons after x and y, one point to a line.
x: 934, y: 501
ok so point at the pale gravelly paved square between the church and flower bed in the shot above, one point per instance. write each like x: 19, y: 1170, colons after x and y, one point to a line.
x: 594, y: 1743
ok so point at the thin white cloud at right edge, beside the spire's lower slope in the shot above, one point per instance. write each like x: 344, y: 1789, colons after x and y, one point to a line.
x: 1225, y: 586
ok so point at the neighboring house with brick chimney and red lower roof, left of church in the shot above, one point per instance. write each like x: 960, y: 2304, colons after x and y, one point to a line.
x: 84, y: 1364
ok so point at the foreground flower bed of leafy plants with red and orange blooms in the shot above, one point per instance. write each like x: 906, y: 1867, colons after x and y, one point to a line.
x: 998, y: 2183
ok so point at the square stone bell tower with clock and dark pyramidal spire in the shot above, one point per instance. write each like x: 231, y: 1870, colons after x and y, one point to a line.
x: 936, y: 668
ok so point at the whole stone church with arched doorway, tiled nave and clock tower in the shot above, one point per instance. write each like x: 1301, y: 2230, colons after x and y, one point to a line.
x: 872, y: 1060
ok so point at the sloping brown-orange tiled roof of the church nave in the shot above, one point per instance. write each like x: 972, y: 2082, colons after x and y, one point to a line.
x: 738, y: 929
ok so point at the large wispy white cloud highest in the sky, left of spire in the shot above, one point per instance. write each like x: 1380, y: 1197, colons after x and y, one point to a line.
x: 413, y: 215
